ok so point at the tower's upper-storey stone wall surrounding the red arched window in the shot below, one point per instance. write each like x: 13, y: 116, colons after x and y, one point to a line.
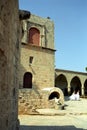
x: 44, y: 25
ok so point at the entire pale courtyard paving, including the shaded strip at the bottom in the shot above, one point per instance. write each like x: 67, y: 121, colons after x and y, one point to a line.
x: 74, y: 117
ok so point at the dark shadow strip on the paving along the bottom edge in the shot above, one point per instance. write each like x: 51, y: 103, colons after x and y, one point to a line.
x: 22, y: 127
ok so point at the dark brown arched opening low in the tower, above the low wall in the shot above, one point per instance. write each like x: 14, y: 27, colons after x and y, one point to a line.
x: 27, y: 80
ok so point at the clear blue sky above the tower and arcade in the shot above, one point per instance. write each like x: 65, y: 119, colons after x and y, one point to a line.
x: 70, y: 32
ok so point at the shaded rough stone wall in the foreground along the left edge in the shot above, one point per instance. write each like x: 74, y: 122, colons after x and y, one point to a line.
x: 9, y: 60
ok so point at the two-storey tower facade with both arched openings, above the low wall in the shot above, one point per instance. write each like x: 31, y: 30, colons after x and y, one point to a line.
x: 37, y: 53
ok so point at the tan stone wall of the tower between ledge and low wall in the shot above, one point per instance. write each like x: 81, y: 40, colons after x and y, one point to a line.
x: 42, y: 67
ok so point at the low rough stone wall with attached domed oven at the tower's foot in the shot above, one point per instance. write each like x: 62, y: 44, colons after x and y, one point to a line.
x: 32, y: 100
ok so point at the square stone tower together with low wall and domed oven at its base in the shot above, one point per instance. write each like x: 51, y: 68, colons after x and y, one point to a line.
x: 37, y: 71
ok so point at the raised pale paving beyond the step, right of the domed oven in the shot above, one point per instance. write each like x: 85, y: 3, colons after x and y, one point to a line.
x: 71, y: 107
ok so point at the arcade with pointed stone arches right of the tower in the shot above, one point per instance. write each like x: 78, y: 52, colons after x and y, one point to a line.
x: 69, y: 81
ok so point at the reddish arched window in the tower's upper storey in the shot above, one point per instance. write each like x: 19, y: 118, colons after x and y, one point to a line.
x: 34, y: 36
